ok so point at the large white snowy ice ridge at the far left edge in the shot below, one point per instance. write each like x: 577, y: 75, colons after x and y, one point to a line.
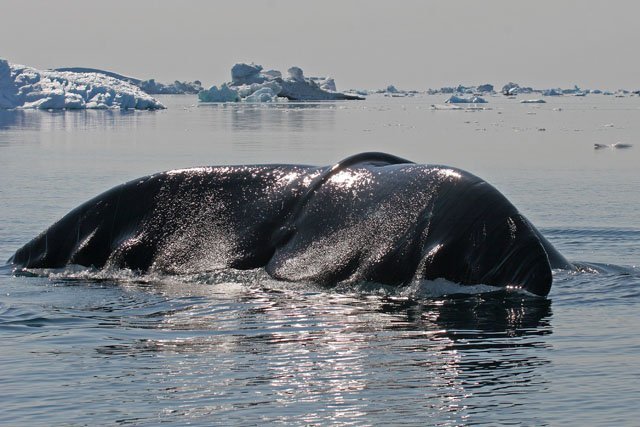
x: 26, y: 87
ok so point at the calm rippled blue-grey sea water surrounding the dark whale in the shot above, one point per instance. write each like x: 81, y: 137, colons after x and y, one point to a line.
x: 238, y: 348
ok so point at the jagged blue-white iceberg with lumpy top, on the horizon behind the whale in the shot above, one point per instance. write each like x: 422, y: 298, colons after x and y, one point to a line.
x: 250, y: 83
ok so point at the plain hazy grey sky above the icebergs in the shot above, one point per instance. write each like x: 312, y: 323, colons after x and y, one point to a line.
x: 362, y: 44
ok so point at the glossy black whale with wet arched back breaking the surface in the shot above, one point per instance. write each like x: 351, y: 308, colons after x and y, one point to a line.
x: 372, y: 217
